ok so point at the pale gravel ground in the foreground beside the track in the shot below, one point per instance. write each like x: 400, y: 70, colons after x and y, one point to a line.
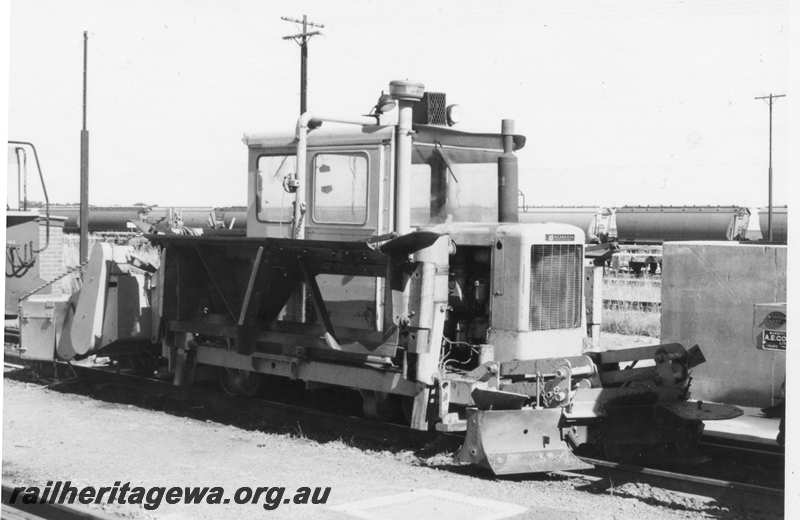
x: 50, y: 435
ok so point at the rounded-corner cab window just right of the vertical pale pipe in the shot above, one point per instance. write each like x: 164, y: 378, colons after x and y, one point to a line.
x: 340, y: 188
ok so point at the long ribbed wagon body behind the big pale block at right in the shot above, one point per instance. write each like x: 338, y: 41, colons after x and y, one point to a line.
x: 656, y: 224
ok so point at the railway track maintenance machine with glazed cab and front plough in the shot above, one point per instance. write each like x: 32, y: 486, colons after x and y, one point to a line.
x: 384, y: 254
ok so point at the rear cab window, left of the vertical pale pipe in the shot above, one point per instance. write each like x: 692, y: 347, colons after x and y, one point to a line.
x: 275, y: 203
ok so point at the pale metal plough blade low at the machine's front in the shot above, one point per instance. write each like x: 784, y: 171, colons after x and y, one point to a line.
x: 517, y: 441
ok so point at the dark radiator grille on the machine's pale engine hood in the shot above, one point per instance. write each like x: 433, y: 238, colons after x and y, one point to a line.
x: 556, y: 283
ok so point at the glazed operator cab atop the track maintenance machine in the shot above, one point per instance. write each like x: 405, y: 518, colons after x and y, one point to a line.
x: 350, y: 184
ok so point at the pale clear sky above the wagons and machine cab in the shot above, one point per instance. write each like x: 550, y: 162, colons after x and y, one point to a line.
x: 625, y: 102
